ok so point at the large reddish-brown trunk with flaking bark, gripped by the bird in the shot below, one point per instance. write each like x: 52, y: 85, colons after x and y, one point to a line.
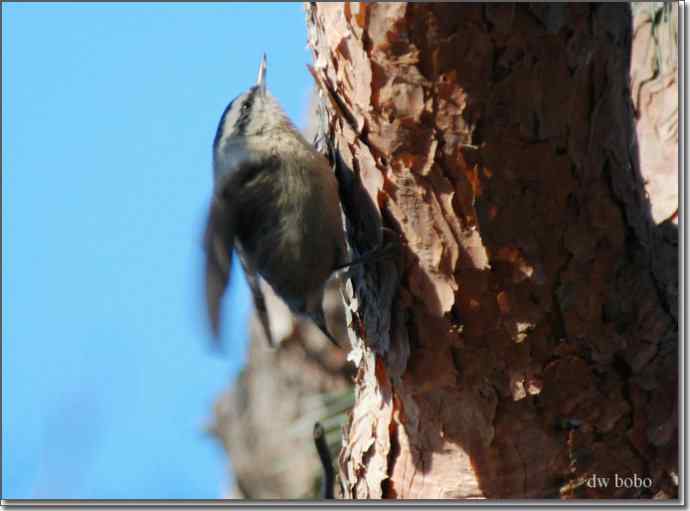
x: 527, y: 338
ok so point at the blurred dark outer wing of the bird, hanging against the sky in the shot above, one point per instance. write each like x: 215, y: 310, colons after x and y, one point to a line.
x: 218, y: 242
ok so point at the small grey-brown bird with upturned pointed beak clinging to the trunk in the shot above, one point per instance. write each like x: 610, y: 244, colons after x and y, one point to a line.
x: 275, y: 203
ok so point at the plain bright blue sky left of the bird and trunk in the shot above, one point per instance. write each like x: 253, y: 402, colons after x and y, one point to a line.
x: 108, y: 114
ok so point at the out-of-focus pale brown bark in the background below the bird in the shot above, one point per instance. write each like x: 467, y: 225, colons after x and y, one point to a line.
x: 265, y: 420
